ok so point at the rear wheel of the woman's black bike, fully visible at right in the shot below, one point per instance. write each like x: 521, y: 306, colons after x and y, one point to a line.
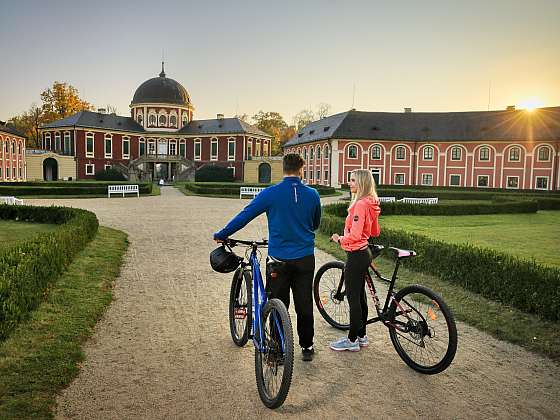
x: 423, y: 329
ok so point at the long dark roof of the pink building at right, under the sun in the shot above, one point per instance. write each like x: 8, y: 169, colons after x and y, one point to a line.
x: 541, y: 124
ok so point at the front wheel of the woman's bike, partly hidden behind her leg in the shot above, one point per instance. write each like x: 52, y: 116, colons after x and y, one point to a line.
x: 325, y: 284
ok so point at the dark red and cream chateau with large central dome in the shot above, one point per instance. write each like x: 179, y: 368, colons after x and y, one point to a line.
x: 159, y: 140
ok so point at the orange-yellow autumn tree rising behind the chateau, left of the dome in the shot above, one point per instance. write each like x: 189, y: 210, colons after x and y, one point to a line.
x: 62, y: 100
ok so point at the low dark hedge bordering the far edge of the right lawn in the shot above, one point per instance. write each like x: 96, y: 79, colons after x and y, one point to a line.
x: 444, y: 209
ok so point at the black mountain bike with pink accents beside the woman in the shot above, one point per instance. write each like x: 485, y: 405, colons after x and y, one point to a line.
x: 420, y: 323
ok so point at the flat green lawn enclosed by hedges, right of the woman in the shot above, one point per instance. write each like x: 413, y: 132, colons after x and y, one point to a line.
x: 528, y: 236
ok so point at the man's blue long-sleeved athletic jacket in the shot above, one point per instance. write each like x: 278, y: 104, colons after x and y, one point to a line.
x: 294, y: 213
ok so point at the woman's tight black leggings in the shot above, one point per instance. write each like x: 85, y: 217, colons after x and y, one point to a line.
x: 355, y: 270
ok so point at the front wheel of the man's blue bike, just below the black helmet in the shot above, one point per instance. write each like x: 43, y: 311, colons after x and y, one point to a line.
x: 240, y: 307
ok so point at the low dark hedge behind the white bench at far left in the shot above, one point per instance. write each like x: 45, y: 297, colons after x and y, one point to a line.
x: 76, y: 188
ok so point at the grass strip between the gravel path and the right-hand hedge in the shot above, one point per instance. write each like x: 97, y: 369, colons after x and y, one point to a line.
x: 500, y: 321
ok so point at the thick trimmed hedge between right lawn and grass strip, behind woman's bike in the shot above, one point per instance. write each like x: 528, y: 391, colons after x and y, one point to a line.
x: 526, y: 285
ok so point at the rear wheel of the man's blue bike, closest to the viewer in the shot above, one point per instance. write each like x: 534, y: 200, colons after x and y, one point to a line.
x: 274, y: 365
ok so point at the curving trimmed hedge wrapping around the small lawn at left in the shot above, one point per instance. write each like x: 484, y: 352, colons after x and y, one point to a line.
x: 28, y: 268
